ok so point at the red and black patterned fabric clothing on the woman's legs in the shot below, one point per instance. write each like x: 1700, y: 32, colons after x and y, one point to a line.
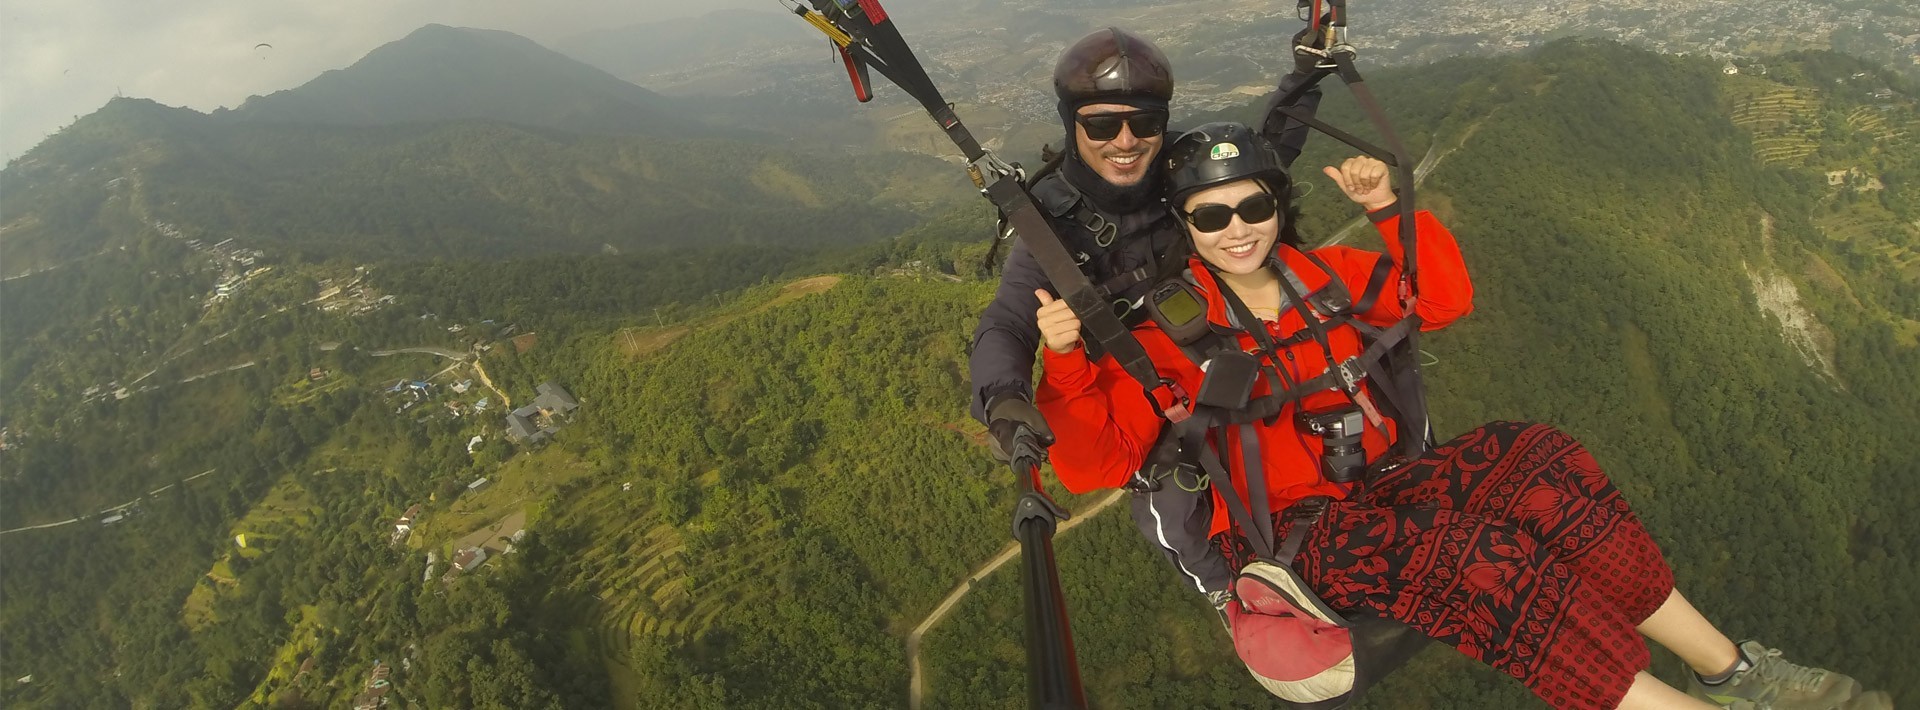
x: 1508, y: 544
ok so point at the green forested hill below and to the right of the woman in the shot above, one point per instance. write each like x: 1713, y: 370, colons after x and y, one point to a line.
x: 1612, y: 216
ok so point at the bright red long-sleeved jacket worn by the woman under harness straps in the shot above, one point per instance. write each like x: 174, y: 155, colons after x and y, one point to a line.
x: 1103, y: 423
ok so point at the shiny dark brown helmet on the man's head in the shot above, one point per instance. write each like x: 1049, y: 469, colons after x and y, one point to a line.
x: 1113, y: 64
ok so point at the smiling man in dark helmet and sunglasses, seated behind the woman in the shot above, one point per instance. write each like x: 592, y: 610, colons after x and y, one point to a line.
x: 1107, y: 204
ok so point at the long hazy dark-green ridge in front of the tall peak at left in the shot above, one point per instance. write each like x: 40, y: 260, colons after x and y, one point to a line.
x: 458, y: 191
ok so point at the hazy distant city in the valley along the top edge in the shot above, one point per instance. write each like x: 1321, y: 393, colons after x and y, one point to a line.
x: 1236, y: 49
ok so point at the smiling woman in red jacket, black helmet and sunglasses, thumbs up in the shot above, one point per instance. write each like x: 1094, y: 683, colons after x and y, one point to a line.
x: 1508, y: 544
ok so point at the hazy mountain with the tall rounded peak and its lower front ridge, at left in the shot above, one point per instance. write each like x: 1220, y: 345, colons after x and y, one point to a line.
x: 452, y: 145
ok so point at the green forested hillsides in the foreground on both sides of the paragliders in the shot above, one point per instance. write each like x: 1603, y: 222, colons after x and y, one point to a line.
x: 771, y: 488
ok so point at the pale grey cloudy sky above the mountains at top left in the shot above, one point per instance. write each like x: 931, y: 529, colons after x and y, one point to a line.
x: 66, y: 59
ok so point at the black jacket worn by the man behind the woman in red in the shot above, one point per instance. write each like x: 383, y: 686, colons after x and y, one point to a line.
x: 1007, y: 337
